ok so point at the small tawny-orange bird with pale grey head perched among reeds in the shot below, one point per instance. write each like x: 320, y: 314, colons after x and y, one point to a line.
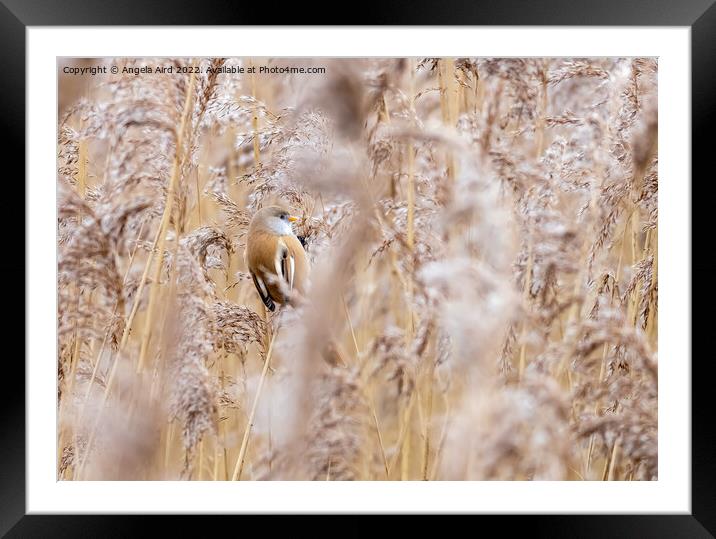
x: 275, y: 256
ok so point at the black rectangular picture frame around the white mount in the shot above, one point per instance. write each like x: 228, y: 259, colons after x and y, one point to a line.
x: 699, y: 15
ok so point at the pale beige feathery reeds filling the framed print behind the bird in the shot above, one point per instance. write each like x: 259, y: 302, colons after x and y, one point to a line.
x: 483, y: 294
